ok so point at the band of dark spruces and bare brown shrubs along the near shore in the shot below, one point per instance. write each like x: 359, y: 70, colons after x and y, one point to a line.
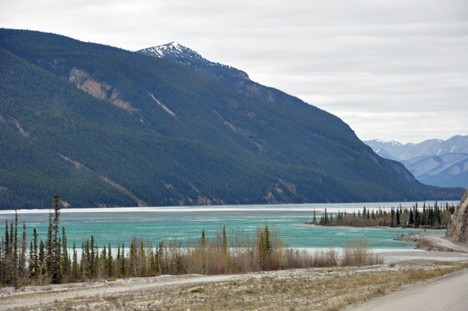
x: 225, y: 253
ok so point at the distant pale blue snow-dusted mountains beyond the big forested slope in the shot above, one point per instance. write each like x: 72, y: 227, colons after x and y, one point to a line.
x: 433, y: 162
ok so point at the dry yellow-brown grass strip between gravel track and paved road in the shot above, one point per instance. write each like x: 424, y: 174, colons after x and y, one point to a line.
x: 304, y: 289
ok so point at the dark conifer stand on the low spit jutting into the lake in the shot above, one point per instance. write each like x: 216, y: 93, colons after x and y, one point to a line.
x: 430, y: 217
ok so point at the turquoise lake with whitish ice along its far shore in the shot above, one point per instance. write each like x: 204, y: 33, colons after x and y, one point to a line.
x: 120, y: 225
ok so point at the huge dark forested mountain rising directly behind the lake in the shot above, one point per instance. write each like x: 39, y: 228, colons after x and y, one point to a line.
x: 102, y: 126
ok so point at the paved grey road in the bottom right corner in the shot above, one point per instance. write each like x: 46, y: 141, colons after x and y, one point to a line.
x: 443, y: 294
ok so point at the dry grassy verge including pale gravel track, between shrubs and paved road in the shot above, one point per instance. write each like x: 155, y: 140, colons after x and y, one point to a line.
x: 302, y: 289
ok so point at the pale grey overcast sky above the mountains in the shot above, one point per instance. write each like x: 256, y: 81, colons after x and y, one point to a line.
x: 393, y: 70
